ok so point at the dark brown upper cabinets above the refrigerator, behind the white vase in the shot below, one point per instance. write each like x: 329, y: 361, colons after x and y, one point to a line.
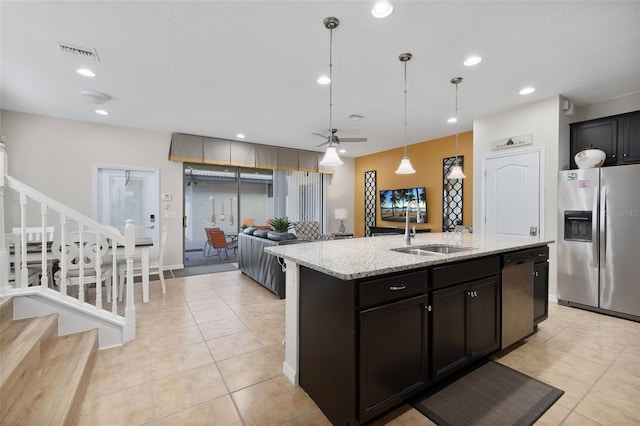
x: 618, y: 136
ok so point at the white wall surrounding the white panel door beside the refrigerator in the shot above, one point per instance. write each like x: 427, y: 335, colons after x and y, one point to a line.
x: 542, y: 120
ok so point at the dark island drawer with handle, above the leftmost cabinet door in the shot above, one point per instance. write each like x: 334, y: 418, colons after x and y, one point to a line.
x: 392, y: 288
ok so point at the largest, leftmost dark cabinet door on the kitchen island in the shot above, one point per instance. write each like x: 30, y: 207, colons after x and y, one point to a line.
x: 393, y: 354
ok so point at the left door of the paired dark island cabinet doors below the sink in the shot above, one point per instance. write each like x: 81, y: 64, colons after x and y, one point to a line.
x: 449, y: 329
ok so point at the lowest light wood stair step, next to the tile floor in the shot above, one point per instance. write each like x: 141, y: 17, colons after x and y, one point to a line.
x: 58, y: 384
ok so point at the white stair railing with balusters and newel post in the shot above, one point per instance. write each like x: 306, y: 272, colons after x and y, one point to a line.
x: 83, y: 250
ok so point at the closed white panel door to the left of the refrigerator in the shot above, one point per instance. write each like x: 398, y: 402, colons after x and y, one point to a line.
x: 512, y: 202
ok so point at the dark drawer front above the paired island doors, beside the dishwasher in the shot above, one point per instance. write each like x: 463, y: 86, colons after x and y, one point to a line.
x: 444, y: 276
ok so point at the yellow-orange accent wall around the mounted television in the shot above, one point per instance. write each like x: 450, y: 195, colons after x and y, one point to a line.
x: 426, y: 157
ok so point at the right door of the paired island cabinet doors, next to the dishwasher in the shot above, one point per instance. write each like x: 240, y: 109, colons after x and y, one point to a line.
x: 484, y: 331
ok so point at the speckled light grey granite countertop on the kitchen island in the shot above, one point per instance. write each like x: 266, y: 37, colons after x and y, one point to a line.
x: 354, y: 258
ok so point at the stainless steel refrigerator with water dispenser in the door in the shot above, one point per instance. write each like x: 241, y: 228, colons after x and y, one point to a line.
x: 599, y: 240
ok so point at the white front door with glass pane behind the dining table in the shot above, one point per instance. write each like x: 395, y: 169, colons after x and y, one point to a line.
x: 122, y: 194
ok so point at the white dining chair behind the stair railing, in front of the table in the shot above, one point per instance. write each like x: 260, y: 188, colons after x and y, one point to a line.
x: 92, y: 250
